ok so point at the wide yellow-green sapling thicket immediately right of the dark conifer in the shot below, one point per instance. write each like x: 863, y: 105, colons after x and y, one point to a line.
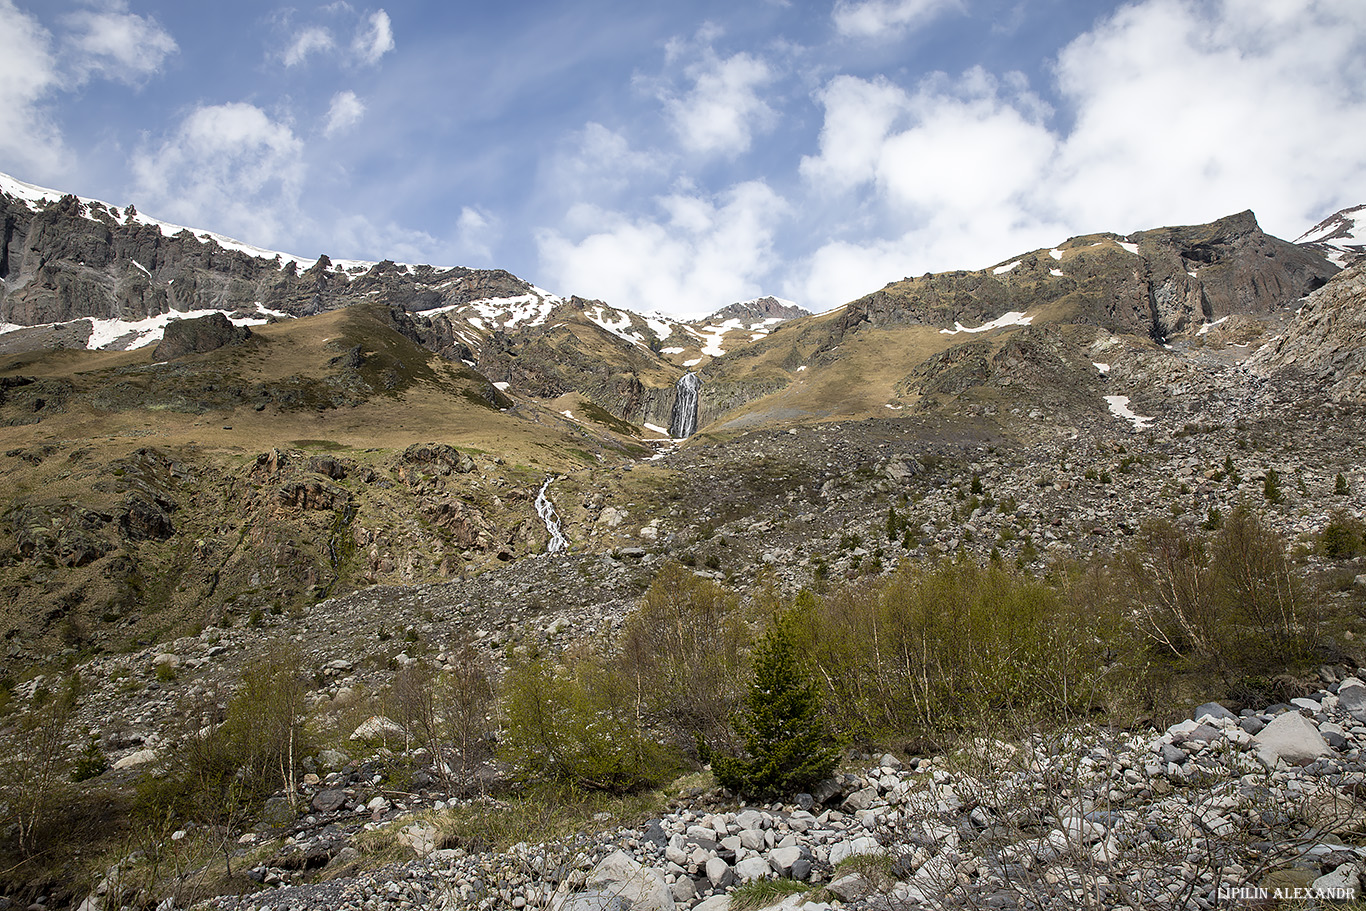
x: 938, y: 645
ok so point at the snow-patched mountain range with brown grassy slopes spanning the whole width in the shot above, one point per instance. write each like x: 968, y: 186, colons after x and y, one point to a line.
x: 195, y: 428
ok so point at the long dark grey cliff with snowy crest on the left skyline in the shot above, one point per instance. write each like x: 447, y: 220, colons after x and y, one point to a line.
x: 68, y: 259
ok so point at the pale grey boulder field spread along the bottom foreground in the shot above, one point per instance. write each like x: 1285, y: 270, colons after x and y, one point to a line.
x: 1212, y: 811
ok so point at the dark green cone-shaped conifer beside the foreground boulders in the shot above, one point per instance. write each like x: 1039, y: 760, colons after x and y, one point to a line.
x: 787, y: 746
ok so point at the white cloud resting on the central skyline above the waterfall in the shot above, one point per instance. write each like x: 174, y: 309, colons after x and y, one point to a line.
x: 701, y: 255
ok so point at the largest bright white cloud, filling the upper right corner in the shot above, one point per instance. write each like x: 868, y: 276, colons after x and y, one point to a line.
x: 1188, y: 111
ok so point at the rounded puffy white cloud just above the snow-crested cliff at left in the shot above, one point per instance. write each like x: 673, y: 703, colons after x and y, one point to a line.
x: 229, y: 169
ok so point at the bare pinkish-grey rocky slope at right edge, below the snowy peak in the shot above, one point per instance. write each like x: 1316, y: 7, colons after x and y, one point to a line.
x: 1327, y: 342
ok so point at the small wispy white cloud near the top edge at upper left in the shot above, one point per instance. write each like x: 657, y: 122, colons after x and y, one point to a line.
x: 117, y: 44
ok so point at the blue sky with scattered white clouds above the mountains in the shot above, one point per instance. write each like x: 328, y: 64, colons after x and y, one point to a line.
x: 677, y: 158
